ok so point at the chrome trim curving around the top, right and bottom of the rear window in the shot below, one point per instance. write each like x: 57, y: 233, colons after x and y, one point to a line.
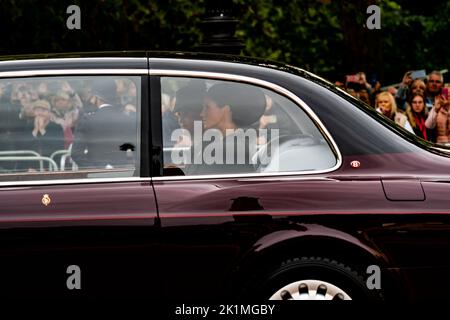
x: 268, y: 85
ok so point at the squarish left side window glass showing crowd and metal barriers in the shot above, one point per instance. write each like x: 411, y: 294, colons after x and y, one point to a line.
x: 69, y: 127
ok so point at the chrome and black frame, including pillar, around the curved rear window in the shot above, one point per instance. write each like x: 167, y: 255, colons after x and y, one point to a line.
x: 155, y: 76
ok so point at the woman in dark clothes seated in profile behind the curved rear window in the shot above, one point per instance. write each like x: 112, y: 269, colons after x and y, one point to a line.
x: 229, y: 141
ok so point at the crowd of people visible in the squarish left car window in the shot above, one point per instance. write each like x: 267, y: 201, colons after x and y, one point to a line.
x: 47, y: 115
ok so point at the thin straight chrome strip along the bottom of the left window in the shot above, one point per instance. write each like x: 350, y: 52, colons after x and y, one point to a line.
x: 30, y: 183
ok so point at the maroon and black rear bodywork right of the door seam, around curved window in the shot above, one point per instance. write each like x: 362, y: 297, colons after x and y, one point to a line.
x: 383, y: 193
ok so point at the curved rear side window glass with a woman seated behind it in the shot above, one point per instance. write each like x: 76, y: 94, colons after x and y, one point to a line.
x: 225, y: 127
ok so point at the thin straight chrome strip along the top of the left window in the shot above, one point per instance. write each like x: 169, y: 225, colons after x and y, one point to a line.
x: 65, y: 72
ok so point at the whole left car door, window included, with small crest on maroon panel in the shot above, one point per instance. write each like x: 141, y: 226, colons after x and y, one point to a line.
x: 78, y: 222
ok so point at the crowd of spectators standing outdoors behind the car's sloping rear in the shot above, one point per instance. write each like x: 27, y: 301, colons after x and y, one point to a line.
x: 420, y: 105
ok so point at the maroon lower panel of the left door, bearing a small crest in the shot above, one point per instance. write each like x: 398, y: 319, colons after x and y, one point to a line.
x: 108, y: 230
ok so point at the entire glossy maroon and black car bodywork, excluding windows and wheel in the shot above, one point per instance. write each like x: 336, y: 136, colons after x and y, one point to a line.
x: 210, y: 237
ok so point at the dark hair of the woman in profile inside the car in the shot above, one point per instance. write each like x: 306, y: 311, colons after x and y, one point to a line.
x: 247, y: 102
